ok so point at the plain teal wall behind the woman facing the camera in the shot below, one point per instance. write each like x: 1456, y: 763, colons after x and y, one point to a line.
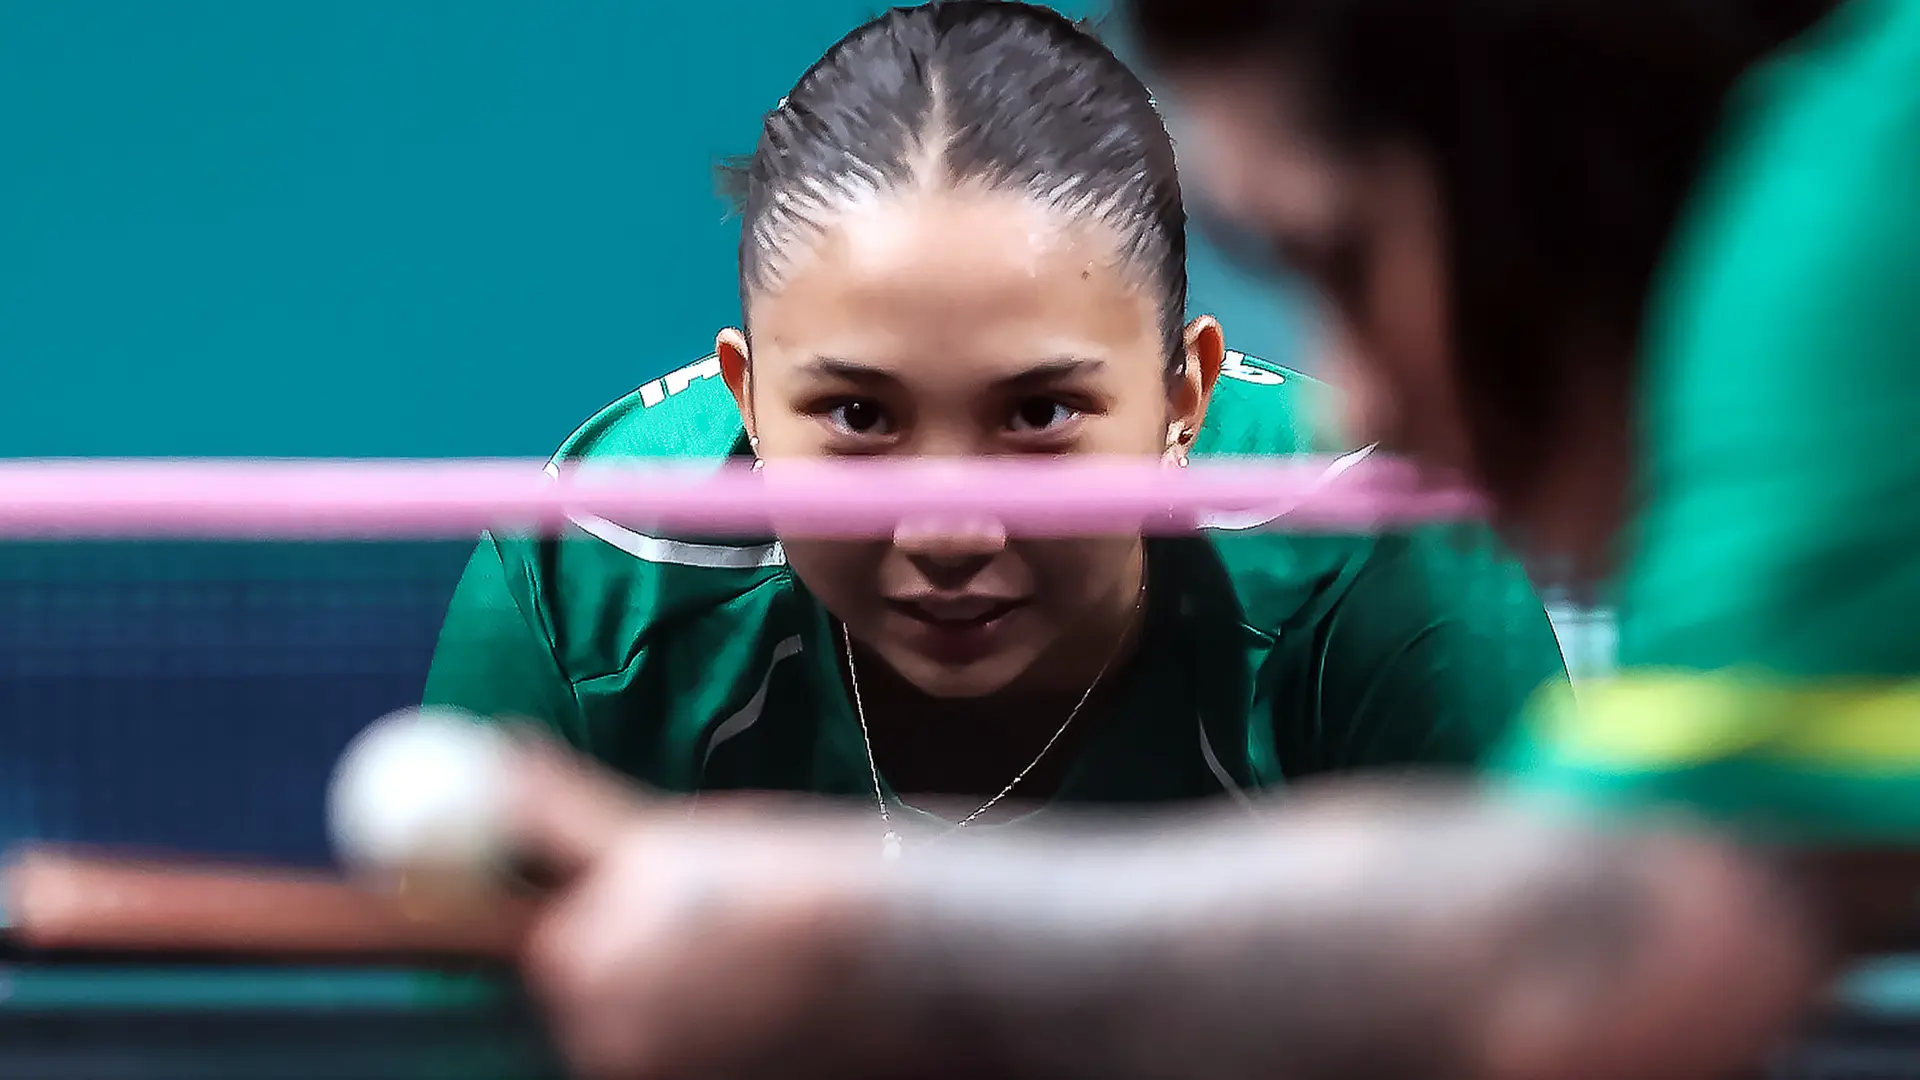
x: 379, y: 228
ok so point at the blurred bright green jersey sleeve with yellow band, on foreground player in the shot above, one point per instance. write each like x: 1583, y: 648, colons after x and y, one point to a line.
x: 1771, y: 614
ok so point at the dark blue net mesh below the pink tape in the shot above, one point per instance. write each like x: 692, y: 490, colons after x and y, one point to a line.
x: 195, y: 695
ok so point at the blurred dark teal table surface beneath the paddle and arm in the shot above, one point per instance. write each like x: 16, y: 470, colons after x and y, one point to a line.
x: 101, y: 1019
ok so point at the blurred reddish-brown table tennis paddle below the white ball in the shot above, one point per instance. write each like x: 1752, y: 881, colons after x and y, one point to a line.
x: 99, y: 902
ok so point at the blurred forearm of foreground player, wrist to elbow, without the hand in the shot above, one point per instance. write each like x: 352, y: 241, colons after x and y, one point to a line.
x: 1395, y: 935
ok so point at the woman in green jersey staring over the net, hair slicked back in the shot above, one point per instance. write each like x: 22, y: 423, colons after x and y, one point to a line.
x: 963, y: 235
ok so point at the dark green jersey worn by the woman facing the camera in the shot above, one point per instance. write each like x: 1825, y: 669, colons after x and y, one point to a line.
x: 704, y: 666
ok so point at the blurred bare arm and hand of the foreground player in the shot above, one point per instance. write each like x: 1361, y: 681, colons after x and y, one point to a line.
x: 1355, y: 935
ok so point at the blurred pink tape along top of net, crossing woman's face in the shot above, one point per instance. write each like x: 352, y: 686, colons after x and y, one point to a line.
x: 222, y: 499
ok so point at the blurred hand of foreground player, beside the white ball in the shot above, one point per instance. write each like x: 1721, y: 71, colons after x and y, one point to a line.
x: 706, y: 946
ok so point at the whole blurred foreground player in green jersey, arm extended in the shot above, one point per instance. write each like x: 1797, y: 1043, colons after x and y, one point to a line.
x: 1654, y: 297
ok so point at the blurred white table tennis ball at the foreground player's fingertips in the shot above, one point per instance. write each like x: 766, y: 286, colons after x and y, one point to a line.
x: 423, y: 795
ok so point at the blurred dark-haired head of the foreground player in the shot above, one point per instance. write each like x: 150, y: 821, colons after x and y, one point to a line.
x: 1481, y: 195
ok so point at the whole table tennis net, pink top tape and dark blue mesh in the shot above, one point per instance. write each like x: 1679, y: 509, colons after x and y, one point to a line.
x: 195, y: 693
